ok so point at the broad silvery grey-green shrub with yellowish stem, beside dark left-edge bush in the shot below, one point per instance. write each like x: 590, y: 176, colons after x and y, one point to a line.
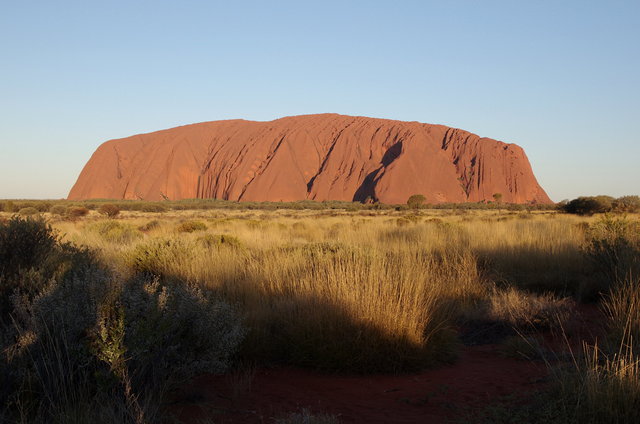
x: 122, y: 345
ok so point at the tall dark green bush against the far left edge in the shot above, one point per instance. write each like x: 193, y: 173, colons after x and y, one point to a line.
x: 32, y: 263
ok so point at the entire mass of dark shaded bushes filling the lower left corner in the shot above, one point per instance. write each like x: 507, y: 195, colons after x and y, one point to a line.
x: 83, y: 346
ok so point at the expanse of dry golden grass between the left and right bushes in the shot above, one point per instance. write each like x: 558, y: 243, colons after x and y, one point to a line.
x: 357, y: 291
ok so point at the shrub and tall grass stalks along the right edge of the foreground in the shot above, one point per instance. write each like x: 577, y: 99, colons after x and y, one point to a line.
x: 603, y: 386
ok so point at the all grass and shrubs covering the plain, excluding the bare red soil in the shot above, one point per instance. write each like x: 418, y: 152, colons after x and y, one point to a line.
x: 105, y: 315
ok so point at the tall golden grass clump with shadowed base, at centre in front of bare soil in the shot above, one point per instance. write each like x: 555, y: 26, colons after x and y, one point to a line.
x: 355, y: 310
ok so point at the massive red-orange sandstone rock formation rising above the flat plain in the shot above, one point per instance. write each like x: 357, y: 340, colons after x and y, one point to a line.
x: 319, y: 157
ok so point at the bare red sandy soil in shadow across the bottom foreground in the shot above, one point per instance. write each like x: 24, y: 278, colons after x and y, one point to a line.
x: 480, y: 377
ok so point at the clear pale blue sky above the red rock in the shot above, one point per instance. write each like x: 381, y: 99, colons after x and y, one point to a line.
x: 560, y: 78
